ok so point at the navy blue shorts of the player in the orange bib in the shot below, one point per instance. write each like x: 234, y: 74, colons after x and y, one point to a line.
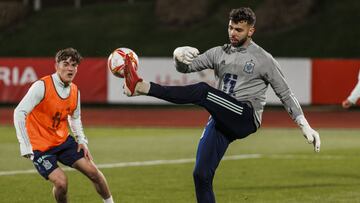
x: 66, y: 153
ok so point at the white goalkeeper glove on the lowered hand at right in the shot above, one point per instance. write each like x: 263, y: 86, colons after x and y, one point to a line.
x: 310, y: 134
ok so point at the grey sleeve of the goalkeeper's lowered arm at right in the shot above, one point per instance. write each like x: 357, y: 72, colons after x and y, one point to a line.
x: 277, y: 81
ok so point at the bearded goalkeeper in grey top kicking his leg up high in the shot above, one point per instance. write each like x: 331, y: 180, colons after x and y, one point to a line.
x: 243, y: 71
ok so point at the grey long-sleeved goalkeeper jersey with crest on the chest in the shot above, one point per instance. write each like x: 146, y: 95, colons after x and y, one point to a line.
x: 245, y: 74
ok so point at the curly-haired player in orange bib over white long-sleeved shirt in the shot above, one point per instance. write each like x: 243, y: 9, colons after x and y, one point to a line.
x: 40, y: 121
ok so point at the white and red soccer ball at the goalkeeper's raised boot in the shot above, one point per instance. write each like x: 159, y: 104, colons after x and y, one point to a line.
x: 116, y: 61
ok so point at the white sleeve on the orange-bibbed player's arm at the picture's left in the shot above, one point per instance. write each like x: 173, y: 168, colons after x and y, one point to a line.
x: 32, y: 98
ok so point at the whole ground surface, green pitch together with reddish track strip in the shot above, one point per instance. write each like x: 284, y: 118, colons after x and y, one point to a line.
x: 147, y: 155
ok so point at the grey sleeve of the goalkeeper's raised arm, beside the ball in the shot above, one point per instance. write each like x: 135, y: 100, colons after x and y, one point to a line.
x: 201, y: 62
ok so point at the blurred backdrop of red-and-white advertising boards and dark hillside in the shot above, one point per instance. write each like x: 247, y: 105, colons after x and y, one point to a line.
x: 315, y: 41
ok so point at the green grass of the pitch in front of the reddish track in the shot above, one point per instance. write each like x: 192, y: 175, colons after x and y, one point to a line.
x: 287, y: 171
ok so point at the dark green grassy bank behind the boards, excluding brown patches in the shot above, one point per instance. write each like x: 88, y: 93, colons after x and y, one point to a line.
x: 96, y: 29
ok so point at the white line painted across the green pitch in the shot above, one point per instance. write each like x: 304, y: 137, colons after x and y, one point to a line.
x: 180, y: 161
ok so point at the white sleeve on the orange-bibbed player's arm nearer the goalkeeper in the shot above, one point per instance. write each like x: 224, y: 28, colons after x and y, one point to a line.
x: 76, y: 124
